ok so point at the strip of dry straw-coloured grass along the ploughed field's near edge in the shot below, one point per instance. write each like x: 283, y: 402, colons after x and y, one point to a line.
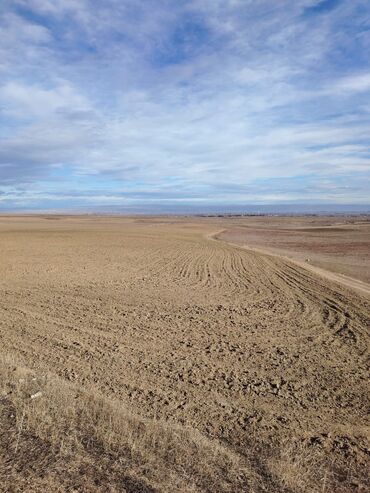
x: 71, y: 439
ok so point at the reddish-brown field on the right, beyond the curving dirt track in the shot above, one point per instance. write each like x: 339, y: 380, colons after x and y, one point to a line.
x: 340, y: 244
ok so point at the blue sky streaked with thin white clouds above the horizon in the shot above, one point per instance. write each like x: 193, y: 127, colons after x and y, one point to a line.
x: 125, y: 104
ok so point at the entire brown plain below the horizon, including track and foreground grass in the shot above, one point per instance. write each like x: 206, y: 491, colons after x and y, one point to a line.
x: 173, y: 354
